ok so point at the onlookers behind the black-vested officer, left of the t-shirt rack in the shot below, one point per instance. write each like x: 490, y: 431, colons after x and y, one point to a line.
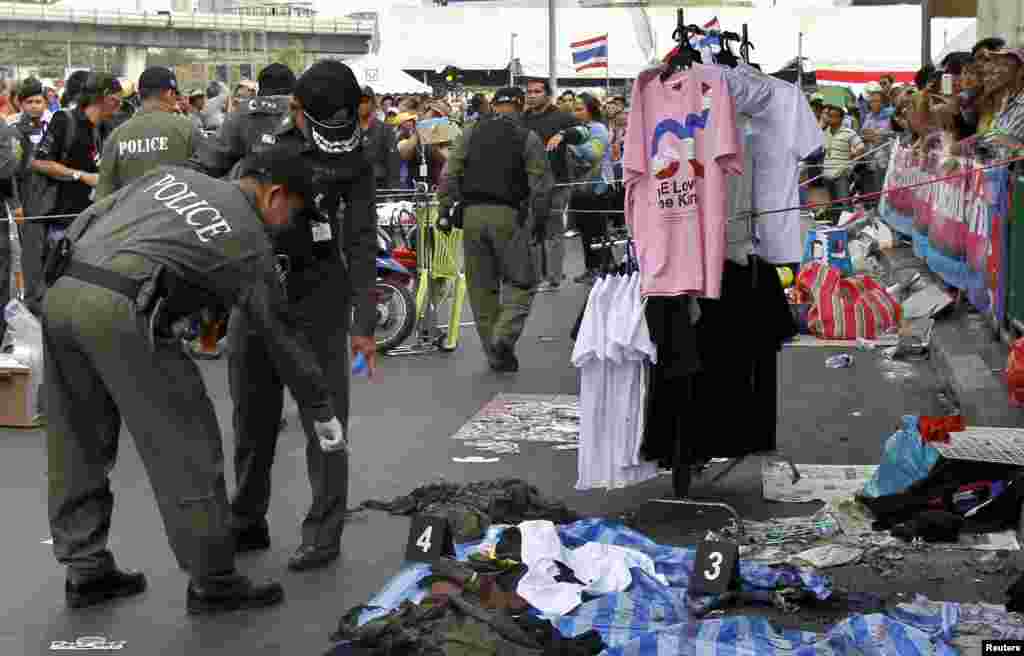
x: 592, y: 174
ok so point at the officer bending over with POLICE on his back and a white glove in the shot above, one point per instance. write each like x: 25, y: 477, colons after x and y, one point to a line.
x: 133, y: 270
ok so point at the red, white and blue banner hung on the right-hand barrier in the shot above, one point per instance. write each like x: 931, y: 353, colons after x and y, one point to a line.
x: 958, y: 226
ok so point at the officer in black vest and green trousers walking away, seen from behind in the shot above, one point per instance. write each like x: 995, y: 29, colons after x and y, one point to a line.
x: 499, y: 181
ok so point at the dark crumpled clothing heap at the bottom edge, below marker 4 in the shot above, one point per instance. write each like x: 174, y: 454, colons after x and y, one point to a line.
x: 456, y: 626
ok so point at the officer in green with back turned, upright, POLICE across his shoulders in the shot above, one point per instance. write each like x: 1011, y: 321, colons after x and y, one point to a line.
x: 154, y: 138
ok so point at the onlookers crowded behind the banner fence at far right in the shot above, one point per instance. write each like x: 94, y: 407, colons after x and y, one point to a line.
x: 970, y: 105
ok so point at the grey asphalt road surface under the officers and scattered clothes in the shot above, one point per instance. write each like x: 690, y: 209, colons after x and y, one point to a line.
x: 401, y: 430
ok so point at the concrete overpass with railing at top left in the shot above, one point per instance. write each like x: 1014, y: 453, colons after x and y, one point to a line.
x: 137, y: 31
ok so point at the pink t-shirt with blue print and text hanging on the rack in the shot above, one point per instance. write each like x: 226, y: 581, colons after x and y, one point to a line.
x: 681, y: 143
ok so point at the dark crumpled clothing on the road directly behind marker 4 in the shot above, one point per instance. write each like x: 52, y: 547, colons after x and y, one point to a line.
x: 473, y: 508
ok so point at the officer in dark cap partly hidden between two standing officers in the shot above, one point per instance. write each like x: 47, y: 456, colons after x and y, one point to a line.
x: 252, y: 127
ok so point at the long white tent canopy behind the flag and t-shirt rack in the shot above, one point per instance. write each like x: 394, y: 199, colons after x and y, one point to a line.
x: 876, y: 39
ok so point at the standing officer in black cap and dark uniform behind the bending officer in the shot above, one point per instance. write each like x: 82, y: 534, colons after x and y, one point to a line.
x: 331, y: 268
